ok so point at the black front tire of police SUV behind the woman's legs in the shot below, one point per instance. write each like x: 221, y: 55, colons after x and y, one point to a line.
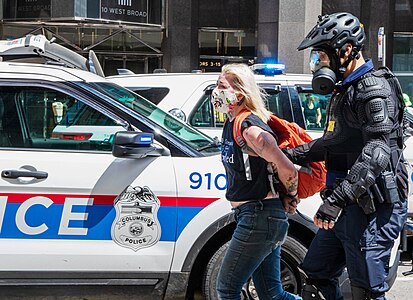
x: 292, y: 254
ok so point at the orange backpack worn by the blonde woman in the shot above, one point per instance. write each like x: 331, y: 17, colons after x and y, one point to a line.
x: 311, y: 179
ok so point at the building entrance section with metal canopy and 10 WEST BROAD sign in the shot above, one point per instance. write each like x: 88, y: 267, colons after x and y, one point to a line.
x: 123, y: 33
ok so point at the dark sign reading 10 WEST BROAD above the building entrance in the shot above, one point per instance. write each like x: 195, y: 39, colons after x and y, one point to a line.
x: 136, y: 11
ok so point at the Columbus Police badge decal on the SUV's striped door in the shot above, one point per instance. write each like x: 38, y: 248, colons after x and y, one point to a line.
x: 136, y: 224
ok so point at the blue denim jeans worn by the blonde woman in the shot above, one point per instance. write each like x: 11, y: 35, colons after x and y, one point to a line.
x: 255, y: 250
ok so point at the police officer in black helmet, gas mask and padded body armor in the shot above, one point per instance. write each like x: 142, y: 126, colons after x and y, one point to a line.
x: 365, y: 203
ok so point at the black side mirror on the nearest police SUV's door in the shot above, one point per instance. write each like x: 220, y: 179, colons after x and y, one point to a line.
x: 135, y: 145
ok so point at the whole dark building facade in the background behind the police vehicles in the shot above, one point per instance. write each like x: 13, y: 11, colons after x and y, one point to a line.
x: 182, y: 35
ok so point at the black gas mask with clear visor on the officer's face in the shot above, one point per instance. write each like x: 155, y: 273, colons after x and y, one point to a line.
x: 326, y: 72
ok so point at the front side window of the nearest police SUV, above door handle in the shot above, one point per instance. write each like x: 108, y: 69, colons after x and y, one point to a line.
x: 43, y: 118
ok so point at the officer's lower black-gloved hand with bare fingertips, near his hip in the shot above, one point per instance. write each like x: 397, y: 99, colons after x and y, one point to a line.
x: 329, y: 211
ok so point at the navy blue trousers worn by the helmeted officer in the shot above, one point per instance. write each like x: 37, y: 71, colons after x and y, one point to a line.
x: 361, y: 242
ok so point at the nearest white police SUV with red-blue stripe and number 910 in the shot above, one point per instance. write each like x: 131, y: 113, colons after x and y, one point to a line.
x: 101, y: 187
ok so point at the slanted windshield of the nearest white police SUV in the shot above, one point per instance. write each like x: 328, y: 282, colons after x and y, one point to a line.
x: 179, y: 129
